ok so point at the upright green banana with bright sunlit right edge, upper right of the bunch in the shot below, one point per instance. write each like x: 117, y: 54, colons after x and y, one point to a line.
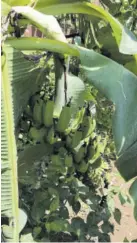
x: 88, y: 123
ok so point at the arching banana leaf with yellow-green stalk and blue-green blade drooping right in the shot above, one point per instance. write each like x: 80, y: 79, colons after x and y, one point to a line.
x: 112, y: 79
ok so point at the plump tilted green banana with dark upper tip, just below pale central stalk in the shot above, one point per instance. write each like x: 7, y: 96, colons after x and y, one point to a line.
x: 64, y: 119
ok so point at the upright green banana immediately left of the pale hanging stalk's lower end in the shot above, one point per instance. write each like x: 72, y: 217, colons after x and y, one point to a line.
x: 47, y: 113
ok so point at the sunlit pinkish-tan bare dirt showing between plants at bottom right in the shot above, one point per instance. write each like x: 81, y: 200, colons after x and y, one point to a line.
x: 128, y: 226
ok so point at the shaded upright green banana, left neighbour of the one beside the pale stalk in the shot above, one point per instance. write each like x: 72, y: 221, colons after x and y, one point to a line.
x: 37, y: 111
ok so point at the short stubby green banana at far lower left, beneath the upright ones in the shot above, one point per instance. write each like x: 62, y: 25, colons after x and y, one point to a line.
x: 37, y: 134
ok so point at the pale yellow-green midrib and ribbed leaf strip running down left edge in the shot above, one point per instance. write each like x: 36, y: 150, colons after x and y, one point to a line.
x: 9, y: 184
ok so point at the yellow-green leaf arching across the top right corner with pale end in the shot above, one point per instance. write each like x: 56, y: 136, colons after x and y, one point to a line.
x: 125, y: 39
